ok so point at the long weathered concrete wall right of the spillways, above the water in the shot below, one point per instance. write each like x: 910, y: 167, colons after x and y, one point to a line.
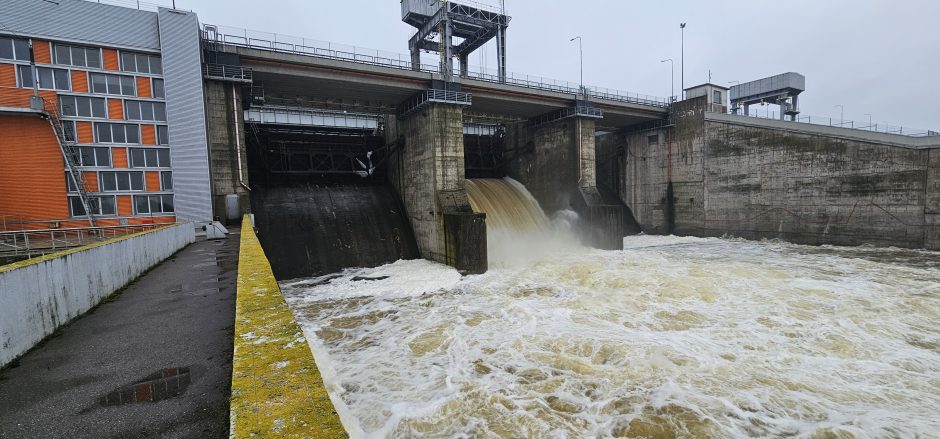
x: 715, y: 174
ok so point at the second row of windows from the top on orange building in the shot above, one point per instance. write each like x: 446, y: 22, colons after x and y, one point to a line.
x: 101, y: 83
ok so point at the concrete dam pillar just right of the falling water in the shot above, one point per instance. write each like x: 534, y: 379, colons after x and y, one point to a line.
x: 560, y: 172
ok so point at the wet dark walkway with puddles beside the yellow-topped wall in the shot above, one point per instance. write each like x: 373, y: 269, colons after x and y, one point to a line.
x: 153, y: 361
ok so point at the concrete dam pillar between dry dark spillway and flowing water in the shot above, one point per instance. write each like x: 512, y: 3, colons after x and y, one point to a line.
x: 430, y: 180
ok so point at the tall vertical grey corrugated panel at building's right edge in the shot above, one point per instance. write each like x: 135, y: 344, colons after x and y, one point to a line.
x: 186, y: 116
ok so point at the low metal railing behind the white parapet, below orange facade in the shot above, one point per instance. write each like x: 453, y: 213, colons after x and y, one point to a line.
x: 34, y: 242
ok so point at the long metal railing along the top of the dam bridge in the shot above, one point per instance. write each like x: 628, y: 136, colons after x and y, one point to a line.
x: 324, y: 49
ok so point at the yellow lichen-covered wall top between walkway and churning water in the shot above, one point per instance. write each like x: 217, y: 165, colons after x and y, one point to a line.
x: 277, y: 390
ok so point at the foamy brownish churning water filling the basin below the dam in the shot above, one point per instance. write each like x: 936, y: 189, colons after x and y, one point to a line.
x: 671, y: 337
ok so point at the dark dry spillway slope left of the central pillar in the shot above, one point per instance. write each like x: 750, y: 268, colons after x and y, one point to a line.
x: 310, y: 229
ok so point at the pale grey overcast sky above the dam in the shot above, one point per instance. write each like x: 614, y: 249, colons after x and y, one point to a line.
x: 877, y: 57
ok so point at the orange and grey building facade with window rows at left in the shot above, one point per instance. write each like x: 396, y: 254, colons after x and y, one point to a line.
x: 124, y: 87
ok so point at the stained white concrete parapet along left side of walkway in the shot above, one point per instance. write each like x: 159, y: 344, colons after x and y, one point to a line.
x: 41, y: 294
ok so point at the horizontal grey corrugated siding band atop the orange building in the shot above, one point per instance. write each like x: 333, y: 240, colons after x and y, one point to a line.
x: 81, y: 21
